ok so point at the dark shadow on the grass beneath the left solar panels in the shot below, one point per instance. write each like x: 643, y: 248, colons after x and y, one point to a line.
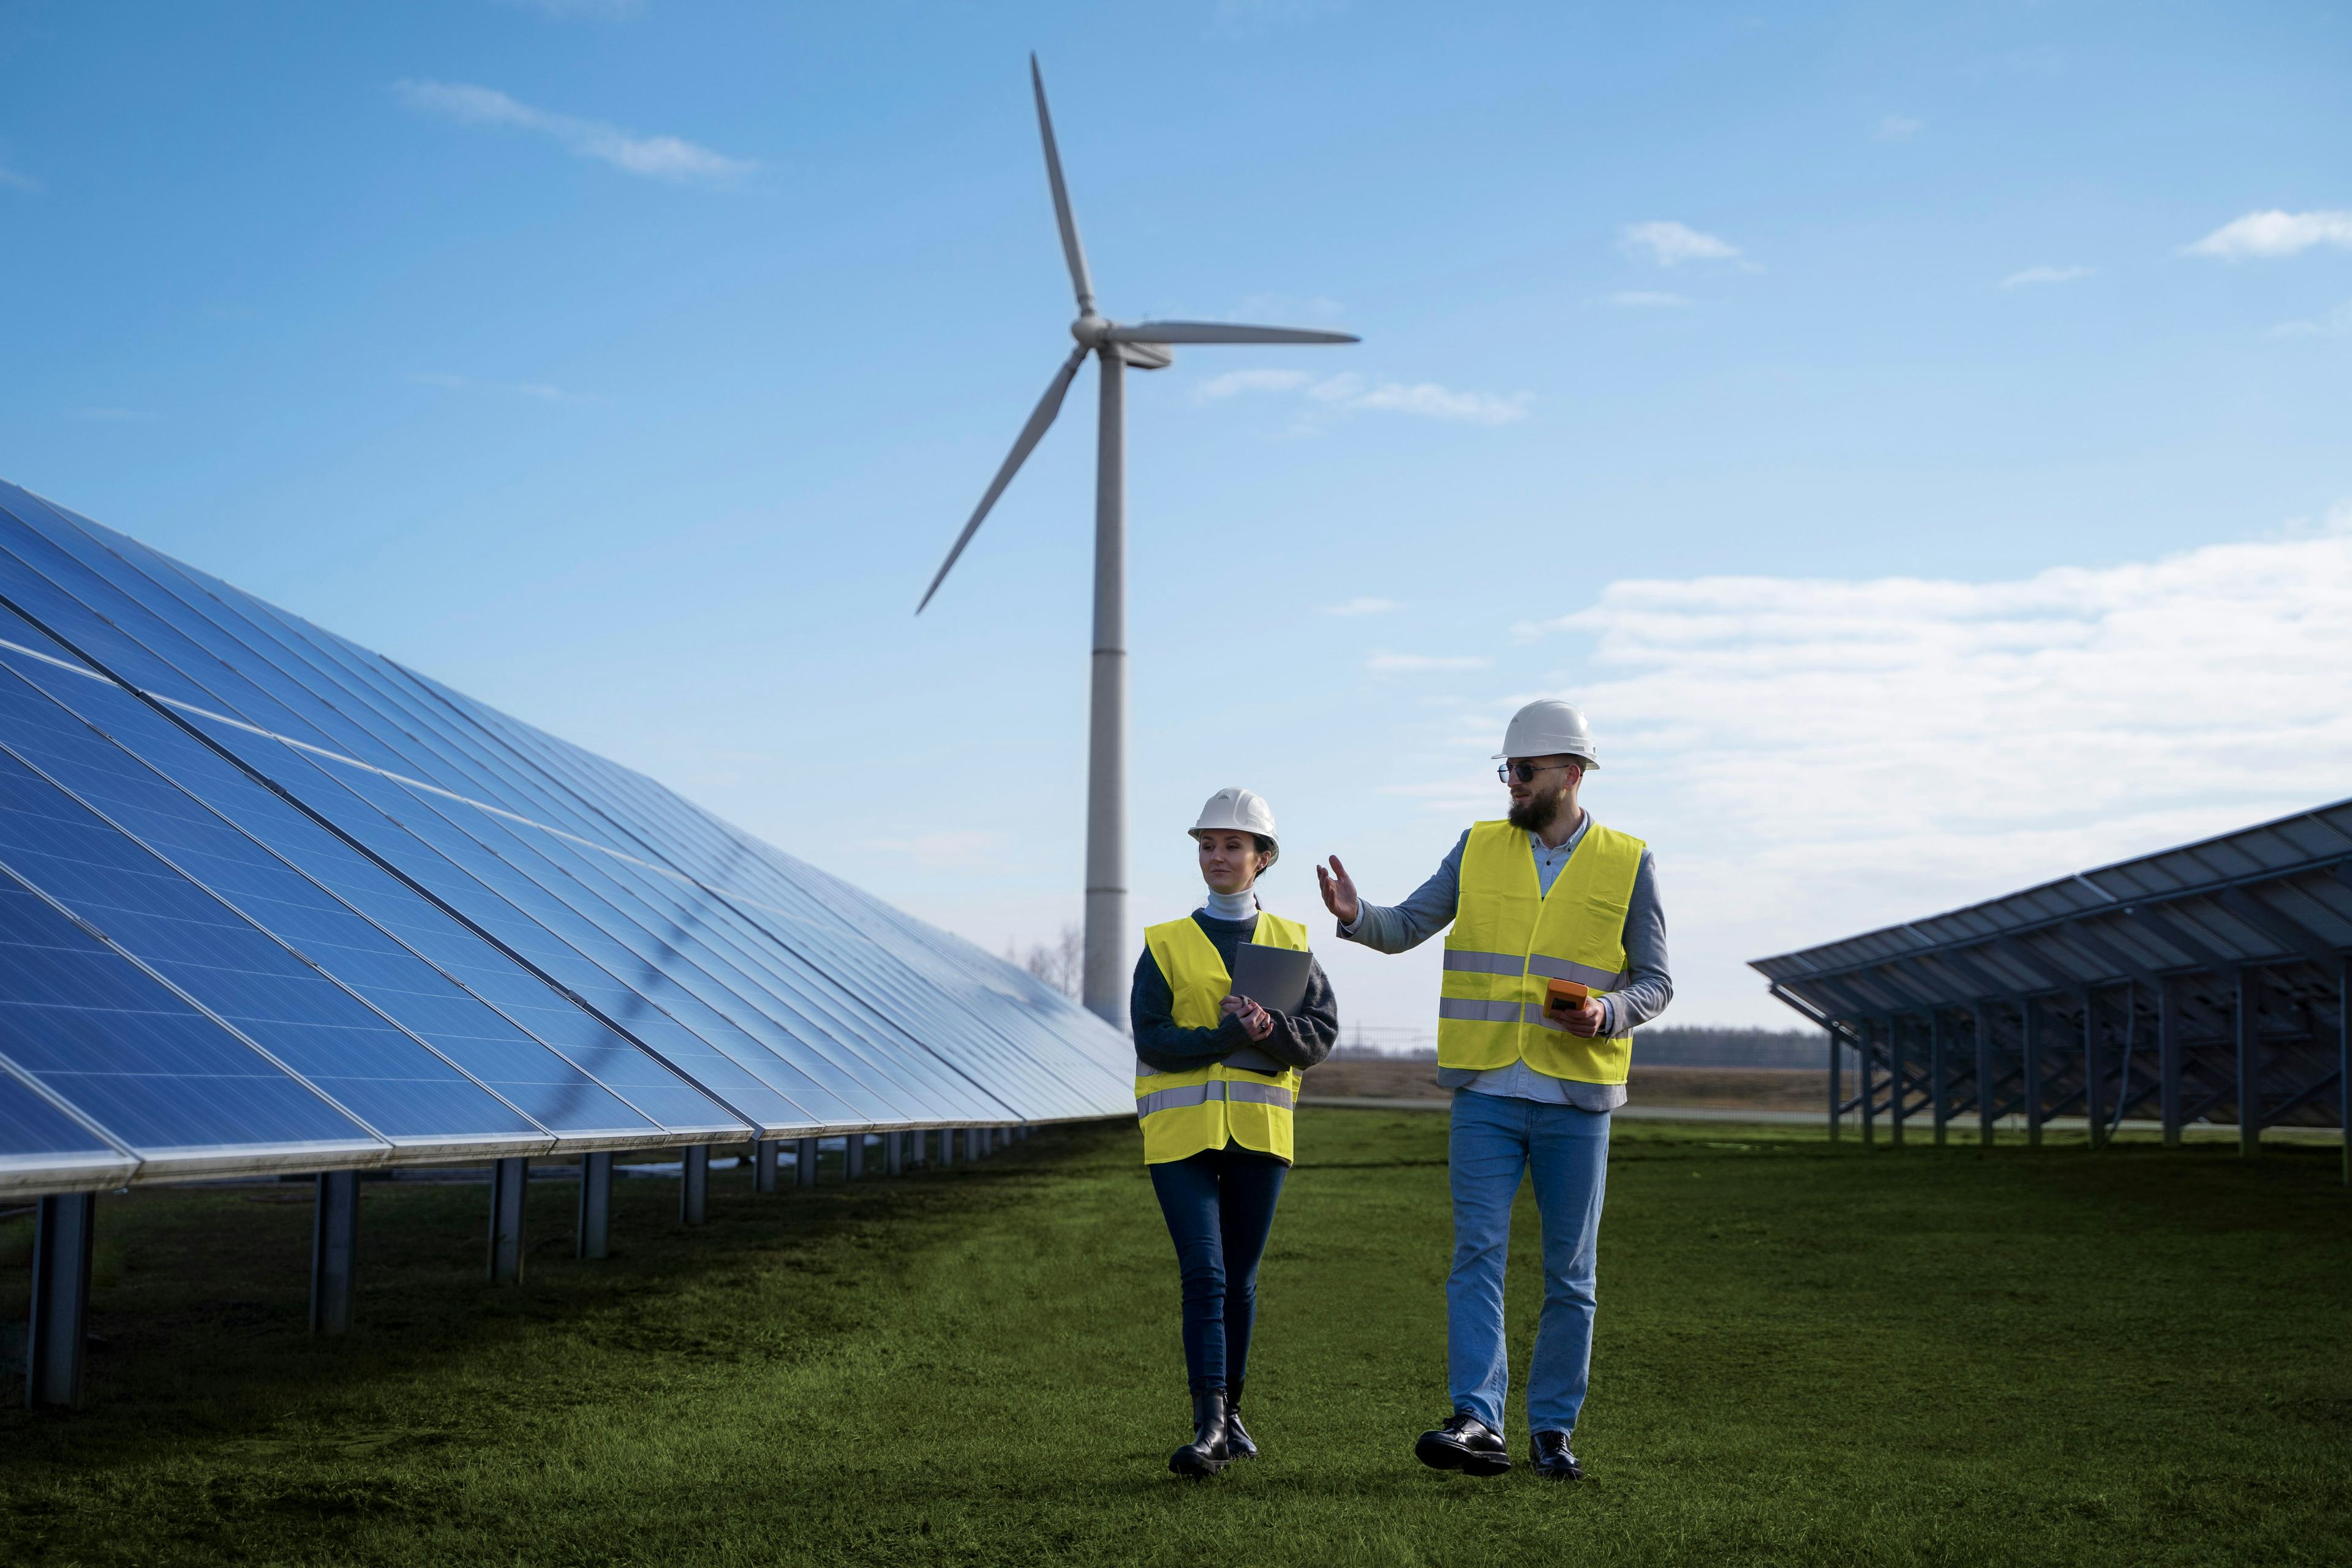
x: 199, y: 1329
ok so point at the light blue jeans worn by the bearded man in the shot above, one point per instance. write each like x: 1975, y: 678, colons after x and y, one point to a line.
x: 1495, y: 1144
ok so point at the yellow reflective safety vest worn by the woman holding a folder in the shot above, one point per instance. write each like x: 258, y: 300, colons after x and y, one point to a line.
x: 1187, y: 1113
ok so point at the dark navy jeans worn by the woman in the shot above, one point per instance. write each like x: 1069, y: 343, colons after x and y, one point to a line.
x: 1220, y: 1207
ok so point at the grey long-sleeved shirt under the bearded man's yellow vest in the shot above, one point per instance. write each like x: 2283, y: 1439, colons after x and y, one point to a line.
x: 1431, y: 911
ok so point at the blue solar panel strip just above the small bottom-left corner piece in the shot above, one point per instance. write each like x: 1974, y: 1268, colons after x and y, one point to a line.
x: 133, y: 1057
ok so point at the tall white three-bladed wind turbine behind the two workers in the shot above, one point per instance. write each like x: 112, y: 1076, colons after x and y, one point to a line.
x: 1142, y: 347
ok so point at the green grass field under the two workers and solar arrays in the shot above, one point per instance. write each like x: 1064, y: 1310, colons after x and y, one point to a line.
x: 1808, y: 1355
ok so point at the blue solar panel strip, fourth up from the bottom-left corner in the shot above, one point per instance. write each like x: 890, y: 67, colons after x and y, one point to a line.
x: 305, y: 916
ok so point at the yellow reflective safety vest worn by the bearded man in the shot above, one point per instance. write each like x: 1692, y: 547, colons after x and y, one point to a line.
x: 1509, y: 939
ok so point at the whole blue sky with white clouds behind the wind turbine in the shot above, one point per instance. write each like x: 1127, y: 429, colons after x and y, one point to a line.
x: 1916, y: 434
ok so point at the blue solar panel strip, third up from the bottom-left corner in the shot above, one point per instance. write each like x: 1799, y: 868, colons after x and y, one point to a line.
x: 286, y: 1007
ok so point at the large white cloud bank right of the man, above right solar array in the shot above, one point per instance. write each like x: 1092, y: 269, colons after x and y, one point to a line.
x: 1815, y: 758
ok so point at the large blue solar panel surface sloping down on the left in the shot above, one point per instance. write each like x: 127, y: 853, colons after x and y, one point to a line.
x: 272, y: 902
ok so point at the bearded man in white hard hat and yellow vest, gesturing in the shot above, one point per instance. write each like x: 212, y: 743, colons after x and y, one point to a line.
x: 1556, y: 953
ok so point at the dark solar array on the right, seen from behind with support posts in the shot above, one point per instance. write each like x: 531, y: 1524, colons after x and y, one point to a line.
x: 2210, y: 981
